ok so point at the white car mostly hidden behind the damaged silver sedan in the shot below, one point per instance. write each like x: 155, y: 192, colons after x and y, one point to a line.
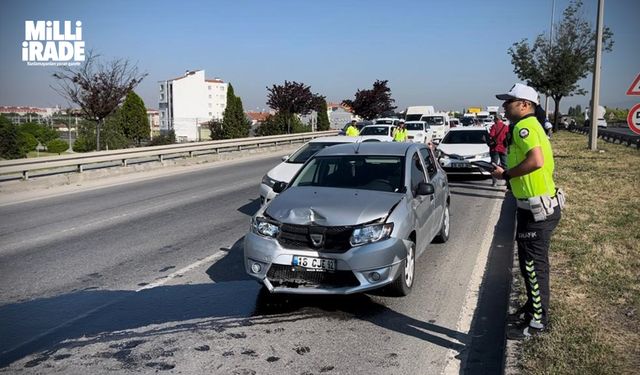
x: 291, y: 164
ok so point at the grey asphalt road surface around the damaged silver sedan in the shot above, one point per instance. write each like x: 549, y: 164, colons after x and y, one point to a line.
x: 148, y: 277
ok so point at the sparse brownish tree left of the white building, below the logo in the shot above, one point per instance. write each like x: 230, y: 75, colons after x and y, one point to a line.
x: 96, y: 87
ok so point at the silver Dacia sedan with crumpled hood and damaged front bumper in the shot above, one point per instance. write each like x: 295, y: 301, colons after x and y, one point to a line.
x: 353, y: 219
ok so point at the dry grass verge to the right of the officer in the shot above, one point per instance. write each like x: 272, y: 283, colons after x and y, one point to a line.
x: 595, y: 264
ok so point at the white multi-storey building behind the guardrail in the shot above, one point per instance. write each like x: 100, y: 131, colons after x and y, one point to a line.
x: 188, y: 102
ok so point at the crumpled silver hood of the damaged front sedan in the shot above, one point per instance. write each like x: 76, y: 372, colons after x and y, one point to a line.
x: 331, y: 206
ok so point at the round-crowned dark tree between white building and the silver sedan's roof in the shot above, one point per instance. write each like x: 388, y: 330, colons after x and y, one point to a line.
x: 290, y: 99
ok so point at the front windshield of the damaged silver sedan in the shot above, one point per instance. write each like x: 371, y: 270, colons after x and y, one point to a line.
x: 381, y: 173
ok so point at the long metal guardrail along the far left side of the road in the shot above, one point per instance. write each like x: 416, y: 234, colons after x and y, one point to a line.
x: 81, y: 160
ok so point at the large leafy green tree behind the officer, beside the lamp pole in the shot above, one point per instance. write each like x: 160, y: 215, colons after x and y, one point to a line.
x: 554, y: 68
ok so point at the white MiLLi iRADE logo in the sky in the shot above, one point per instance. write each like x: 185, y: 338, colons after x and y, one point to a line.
x: 52, y: 43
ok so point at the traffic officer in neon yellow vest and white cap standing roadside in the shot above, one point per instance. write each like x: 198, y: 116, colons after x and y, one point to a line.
x: 529, y: 171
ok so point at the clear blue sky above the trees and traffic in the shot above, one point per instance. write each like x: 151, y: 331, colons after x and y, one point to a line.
x: 451, y: 54
